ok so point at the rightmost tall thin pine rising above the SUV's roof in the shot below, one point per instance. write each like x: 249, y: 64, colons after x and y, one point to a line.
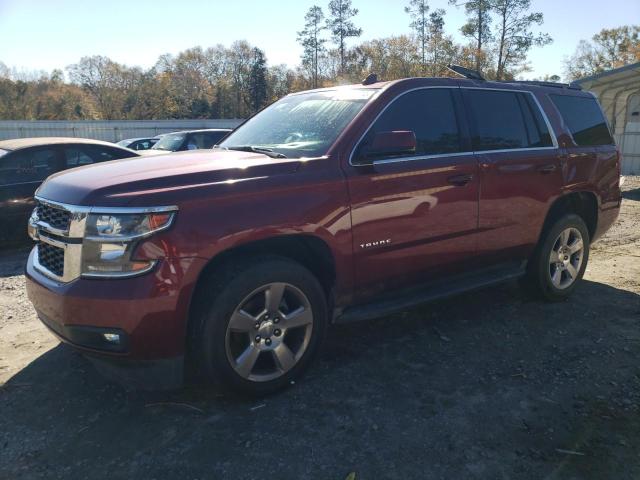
x: 514, y: 34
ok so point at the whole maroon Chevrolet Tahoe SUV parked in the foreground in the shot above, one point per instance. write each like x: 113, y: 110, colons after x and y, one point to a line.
x: 331, y: 205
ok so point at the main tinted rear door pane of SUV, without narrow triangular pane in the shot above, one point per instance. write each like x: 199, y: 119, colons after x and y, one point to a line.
x: 497, y: 120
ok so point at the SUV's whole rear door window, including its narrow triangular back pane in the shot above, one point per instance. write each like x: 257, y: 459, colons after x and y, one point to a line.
x: 505, y: 120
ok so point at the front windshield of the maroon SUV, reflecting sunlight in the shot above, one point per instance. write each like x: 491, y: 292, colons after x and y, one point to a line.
x: 304, y: 125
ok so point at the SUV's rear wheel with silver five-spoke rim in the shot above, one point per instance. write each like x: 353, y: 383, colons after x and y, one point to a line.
x: 558, y: 264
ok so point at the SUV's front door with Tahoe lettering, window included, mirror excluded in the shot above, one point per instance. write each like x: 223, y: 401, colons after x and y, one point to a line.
x: 414, y: 216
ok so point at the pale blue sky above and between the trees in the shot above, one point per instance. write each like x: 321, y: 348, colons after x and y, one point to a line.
x: 48, y: 34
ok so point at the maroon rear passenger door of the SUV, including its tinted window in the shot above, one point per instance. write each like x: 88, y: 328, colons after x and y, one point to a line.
x: 519, y: 169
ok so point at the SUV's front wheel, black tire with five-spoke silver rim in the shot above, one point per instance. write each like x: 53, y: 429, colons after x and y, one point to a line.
x: 240, y: 323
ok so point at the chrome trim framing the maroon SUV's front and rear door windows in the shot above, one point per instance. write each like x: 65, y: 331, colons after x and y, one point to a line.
x: 552, y: 134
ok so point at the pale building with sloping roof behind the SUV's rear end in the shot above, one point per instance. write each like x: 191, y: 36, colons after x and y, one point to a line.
x: 618, y: 91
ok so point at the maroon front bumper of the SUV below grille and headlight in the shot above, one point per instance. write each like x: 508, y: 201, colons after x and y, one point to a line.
x: 148, y: 312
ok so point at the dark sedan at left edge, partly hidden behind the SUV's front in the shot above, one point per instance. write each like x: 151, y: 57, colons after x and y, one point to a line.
x: 26, y: 162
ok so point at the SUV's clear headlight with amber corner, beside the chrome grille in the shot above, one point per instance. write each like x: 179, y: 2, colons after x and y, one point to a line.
x: 110, y: 240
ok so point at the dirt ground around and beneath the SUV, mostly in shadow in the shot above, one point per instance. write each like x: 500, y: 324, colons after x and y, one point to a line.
x: 491, y: 384
